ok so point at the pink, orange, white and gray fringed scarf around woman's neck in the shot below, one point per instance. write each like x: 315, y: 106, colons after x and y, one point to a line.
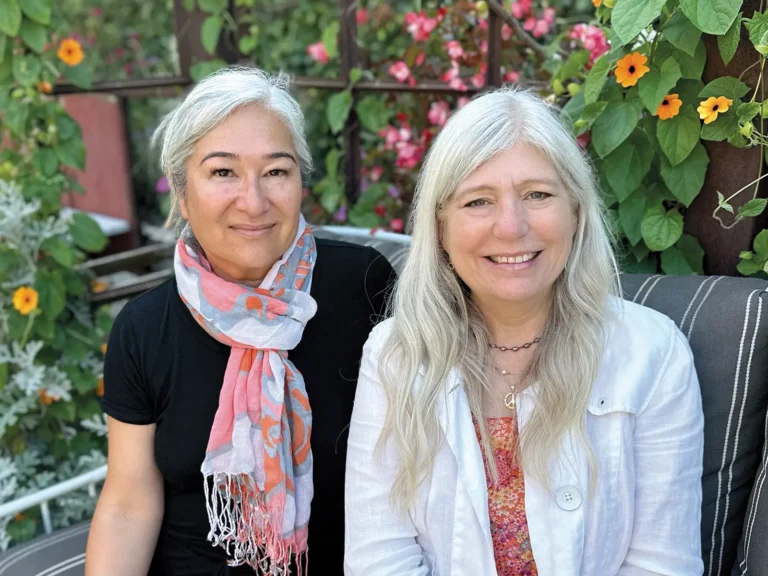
x: 258, y: 458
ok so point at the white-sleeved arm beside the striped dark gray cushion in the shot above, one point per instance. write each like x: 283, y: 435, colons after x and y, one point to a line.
x: 669, y: 447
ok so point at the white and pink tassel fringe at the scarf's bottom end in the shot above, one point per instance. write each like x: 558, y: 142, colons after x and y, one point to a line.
x: 248, y: 532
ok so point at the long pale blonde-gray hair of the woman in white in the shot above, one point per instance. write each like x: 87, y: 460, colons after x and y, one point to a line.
x: 437, y: 327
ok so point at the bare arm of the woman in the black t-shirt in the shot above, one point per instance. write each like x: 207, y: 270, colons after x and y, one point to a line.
x: 130, y: 509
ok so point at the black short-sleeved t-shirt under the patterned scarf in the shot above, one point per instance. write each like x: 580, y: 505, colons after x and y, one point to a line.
x: 162, y: 367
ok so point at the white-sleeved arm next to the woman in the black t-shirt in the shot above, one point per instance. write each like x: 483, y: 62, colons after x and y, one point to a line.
x: 378, y: 541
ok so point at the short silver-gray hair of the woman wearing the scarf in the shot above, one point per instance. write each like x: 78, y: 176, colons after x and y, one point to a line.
x: 210, y: 103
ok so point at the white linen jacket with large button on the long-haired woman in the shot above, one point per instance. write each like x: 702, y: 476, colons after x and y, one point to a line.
x: 645, y: 423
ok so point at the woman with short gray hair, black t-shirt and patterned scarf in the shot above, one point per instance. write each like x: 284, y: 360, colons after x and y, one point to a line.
x: 229, y: 388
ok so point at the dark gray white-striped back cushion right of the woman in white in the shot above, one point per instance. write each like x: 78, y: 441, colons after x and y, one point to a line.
x: 725, y: 322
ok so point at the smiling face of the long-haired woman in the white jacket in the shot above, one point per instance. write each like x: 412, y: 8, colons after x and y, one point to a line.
x: 509, y: 228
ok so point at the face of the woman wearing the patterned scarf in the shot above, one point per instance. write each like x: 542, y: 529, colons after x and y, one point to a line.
x: 243, y: 195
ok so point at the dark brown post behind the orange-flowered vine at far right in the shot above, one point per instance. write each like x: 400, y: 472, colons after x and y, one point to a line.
x: 729, y: 169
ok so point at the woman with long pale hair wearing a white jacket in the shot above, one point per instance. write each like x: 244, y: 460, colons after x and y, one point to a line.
x: 514, y: 416
